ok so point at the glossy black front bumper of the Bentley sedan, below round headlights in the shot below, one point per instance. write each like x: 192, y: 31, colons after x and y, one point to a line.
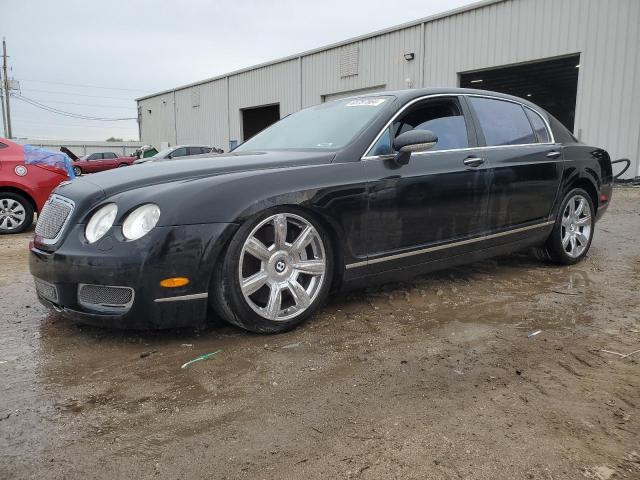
x: 178, y: 251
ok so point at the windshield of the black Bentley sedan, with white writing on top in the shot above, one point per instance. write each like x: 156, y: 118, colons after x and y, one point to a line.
x: 324, y: 127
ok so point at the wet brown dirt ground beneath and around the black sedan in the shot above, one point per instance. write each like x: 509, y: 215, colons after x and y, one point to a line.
x: 433, y: 378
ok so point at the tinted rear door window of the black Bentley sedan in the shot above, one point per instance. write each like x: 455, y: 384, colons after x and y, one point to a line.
x: 502, y: 122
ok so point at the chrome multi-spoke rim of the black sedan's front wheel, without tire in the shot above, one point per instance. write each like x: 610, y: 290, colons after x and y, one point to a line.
x: 282, y: 266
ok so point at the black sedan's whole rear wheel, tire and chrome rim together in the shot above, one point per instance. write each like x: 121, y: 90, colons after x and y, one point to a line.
x: 572, y: 233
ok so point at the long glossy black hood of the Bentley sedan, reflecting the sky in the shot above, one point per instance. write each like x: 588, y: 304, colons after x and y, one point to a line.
x: 147, y: 174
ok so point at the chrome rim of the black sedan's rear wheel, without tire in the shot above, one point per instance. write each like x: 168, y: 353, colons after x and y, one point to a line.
x: 576, y: 226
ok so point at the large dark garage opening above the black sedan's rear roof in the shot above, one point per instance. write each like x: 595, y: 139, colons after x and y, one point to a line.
x: 551, y: 84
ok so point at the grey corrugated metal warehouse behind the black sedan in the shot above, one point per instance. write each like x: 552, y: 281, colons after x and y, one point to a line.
x: 579, y: 59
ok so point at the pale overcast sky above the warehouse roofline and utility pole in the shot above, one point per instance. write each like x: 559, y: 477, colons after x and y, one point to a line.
x: 94, y: 57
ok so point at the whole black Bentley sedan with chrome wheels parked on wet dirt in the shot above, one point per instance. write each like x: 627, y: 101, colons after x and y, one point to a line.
x: 346, y: 193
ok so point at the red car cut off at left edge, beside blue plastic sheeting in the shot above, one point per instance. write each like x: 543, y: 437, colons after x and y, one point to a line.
x: 23, y: 188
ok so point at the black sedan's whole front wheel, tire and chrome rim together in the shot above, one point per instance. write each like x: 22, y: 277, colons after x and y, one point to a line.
x: 275, y: 273
